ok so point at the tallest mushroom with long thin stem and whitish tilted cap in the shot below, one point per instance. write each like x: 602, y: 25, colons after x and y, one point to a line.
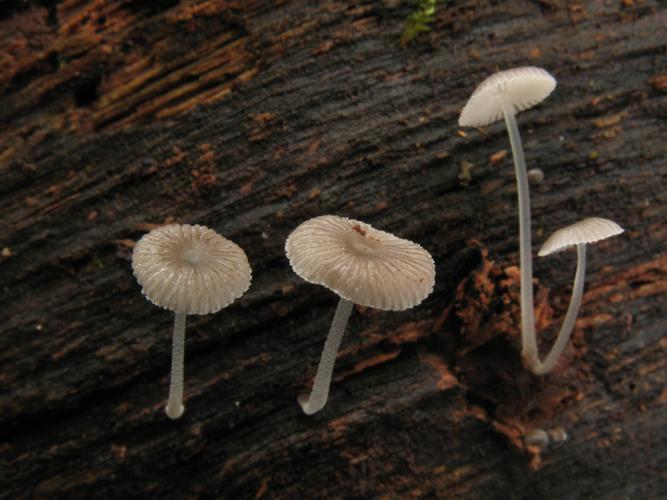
x: 502, y: 95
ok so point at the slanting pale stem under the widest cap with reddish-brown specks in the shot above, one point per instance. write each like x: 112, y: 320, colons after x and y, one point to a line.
x: 320, y: 392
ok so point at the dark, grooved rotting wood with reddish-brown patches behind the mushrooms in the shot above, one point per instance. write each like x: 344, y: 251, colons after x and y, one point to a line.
x: 250, y: 117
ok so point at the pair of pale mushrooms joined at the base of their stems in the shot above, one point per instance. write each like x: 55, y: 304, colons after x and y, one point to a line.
x: 501, y: 96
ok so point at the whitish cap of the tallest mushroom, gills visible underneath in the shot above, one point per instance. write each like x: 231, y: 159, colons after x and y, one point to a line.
x: 523, y: 87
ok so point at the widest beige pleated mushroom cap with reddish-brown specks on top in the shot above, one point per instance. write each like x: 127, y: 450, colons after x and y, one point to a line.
x: 360, y: 263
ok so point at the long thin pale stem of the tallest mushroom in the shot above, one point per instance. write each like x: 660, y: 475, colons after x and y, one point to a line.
x: 528, y: 340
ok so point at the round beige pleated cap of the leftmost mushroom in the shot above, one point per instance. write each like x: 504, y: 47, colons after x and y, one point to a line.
x: 190, y: 269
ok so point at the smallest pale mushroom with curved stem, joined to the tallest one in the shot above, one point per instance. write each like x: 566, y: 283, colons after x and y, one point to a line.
x: 579, y: 234
